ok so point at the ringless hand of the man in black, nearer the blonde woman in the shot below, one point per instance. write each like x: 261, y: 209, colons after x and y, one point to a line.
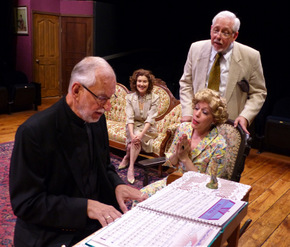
x: 125, y: 193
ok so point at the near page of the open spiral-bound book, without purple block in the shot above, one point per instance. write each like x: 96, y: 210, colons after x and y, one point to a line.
x: 141, y: 227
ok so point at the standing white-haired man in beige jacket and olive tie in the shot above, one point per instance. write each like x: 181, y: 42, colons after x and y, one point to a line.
x: 233, y: 69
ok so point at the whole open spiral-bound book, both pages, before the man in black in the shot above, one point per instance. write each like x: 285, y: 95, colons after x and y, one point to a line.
x: 173, y: 216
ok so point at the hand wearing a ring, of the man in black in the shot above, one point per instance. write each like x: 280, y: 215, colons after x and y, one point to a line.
x: 105, y: 214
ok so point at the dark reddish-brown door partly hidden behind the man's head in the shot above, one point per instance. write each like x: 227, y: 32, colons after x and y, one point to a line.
x: 76, y: 43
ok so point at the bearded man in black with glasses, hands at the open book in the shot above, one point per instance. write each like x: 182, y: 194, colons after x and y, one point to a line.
x: 62, y: 184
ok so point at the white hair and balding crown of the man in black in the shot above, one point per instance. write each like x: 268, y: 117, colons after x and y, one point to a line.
x: 85, y: 71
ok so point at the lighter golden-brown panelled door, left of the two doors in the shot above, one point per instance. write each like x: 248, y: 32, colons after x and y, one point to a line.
x: 46, y: 65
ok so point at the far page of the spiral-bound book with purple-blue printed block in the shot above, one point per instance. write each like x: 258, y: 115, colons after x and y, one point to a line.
x: 193, y: 206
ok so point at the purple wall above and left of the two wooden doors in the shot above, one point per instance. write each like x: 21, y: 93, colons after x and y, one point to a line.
x: 24, y: 49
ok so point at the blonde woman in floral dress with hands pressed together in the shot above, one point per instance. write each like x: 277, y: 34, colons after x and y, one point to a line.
x: 197, y: 146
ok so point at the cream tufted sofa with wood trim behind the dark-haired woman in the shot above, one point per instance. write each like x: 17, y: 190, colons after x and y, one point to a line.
x: 169, y: 113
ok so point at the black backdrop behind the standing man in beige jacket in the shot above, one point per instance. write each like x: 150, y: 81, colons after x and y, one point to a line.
x: 160, y: 33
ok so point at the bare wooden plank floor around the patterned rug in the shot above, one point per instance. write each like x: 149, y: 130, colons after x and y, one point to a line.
x: 267, y: 173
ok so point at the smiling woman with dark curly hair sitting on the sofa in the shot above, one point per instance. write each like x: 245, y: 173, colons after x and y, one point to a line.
x: 141, y: 111
